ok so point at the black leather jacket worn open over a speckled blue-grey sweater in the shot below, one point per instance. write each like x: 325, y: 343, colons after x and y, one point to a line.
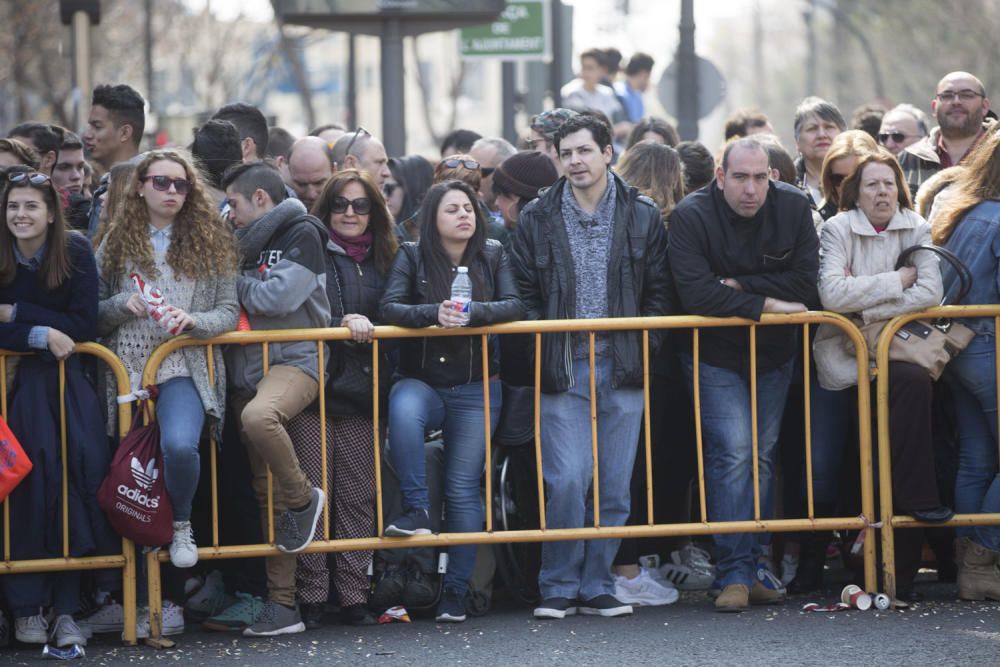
x: 638, y: 280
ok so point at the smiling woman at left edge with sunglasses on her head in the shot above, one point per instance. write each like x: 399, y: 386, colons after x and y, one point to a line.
x: 48, y: 302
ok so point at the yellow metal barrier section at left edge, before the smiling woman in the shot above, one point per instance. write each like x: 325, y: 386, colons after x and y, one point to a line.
x: 126, y: 560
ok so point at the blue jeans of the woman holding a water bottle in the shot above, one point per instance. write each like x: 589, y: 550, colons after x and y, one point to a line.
x: 416, y: 407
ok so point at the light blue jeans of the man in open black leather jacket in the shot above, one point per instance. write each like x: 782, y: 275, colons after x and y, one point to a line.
x: 582, y: 568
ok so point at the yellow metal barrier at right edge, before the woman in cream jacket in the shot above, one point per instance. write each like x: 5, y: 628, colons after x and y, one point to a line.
x: 888, y: 518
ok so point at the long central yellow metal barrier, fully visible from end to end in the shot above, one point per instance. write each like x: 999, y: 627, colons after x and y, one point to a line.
x: 651, y: 529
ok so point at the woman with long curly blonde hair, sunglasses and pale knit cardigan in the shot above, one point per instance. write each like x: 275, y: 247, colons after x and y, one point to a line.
x: 166, y: 234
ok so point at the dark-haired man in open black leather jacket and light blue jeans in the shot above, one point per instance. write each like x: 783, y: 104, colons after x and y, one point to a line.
x: 589, y: 247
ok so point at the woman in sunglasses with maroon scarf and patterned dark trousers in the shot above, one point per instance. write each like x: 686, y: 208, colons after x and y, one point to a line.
x: 359, y: 252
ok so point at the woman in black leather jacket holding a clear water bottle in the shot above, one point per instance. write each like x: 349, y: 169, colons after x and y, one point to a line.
x: 443, y: 376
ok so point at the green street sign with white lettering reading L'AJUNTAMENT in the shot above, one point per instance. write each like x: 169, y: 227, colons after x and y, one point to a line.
x: 520, y: 33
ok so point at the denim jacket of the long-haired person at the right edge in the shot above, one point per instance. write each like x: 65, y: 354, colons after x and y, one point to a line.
x: 976, y: 241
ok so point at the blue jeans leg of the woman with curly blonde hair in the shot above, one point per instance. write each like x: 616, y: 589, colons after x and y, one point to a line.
x: 181, y: 415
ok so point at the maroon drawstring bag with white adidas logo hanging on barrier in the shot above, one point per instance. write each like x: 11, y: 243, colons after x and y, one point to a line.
x: 134, y: 494
